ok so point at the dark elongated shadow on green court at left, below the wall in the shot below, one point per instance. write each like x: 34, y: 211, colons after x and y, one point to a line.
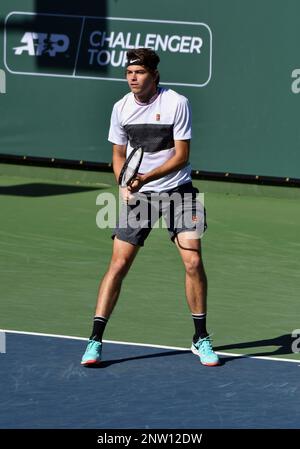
x: 43, y: 189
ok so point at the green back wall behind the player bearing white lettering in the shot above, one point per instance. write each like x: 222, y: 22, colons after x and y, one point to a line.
x: 243, y: 85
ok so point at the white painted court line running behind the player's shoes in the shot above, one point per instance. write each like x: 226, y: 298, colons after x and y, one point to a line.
x: 226, y: 354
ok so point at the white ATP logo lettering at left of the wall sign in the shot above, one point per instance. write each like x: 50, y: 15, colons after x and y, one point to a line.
x: 38, y: 44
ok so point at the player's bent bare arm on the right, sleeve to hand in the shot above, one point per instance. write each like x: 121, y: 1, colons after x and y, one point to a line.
x: 175, y: 163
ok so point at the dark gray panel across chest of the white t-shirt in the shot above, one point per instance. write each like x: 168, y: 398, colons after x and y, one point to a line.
x: 151, y: 137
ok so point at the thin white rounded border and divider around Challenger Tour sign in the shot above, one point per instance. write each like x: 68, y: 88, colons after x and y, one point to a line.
x: 126, y: 19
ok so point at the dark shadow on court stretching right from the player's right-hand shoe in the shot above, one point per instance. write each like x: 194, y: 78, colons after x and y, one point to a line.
x: 284, y: 343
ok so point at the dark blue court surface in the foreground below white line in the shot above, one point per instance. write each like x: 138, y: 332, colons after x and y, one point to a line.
x: 44, y: 386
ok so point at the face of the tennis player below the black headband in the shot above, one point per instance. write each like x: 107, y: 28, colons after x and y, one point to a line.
x: 141, y: 81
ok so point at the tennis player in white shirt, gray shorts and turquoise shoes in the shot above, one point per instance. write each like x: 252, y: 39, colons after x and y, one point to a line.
x: 159, y: 120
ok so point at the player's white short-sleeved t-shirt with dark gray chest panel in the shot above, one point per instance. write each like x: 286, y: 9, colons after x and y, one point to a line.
x: 154, y: 126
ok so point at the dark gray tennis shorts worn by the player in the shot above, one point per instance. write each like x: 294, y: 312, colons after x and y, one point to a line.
x: 179, y: 207
